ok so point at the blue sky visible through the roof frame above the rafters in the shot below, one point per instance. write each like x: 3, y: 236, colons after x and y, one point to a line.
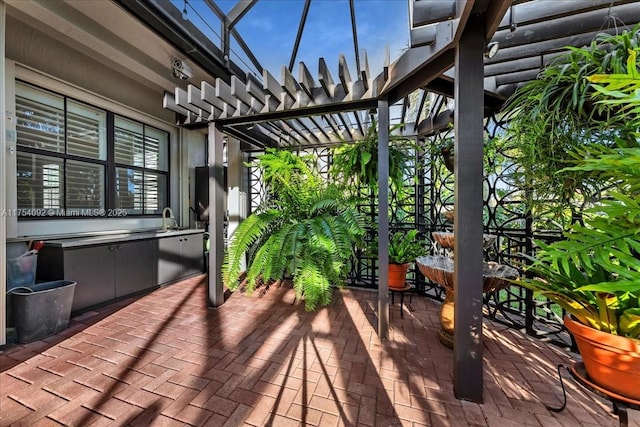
x: 270, y: 29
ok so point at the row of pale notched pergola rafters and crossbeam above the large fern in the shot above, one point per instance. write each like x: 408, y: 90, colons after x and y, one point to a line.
x: 254, y: 103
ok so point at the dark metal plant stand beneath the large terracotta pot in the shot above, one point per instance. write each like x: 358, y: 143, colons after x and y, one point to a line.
x: 620, y: 403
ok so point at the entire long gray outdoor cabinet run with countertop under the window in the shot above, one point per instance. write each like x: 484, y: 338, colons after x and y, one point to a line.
x: 106, y: 268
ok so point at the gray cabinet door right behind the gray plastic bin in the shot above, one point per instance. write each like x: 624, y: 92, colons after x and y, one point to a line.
x: 92, y: 268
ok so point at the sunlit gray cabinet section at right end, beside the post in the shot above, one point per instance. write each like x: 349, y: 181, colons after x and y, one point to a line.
x: 179, y: 257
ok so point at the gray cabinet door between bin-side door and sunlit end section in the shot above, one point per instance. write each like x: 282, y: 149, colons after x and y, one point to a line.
x: 134, y: 267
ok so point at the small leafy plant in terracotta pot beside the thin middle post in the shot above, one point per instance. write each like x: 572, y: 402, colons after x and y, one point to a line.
x: 404, y: 248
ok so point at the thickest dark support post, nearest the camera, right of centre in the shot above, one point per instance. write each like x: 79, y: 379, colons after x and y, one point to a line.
x: 469, y: 134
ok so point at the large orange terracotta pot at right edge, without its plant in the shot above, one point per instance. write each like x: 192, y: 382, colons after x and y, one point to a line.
x: 611, y: 361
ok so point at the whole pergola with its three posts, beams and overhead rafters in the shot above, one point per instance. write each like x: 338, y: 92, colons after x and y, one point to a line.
x: 452, y: 54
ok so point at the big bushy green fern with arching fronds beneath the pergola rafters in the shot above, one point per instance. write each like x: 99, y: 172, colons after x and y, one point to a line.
x: 306, y: 230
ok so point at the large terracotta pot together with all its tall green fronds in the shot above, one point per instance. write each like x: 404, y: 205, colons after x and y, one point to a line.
x: 594, y: 273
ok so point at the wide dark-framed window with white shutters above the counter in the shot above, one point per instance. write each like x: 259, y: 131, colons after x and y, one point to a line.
x: 66, y: 148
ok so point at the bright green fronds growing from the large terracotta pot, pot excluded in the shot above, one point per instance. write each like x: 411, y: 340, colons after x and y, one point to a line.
x: 594, y: 273
